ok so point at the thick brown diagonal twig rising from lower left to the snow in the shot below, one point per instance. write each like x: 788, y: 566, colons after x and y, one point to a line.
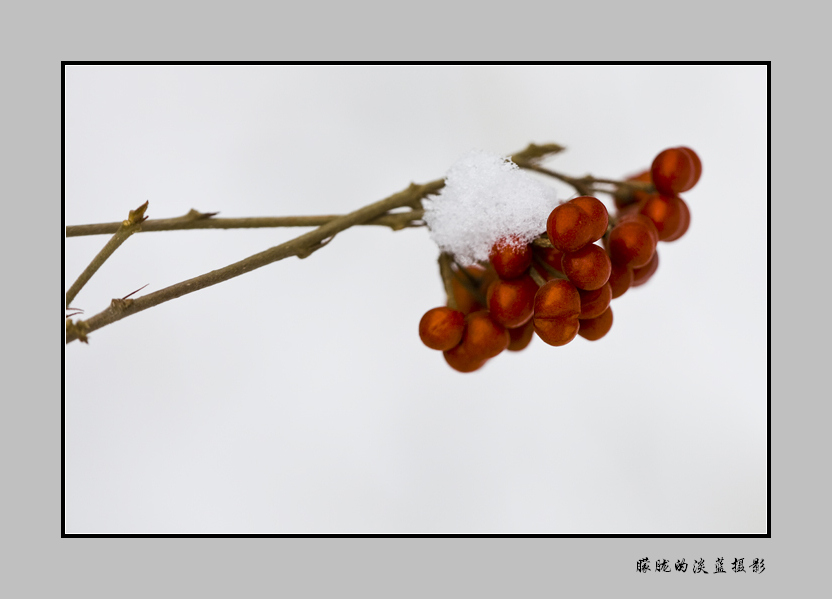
x: 119, y: 309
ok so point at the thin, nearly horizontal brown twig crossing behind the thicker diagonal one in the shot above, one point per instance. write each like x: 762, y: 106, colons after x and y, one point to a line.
x: 204, y: 220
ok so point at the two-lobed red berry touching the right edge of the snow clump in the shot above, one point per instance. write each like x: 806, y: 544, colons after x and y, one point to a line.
x: 576, y: 223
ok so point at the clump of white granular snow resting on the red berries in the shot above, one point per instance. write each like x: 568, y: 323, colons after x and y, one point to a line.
x: 487, y: 198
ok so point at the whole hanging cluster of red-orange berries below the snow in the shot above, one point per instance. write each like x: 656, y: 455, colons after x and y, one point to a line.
x: 561, y: 285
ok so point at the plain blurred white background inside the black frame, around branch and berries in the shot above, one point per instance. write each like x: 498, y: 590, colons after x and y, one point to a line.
x: 299, y: 399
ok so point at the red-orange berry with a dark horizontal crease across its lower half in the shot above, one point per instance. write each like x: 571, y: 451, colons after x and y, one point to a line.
x: 557, y: 307
